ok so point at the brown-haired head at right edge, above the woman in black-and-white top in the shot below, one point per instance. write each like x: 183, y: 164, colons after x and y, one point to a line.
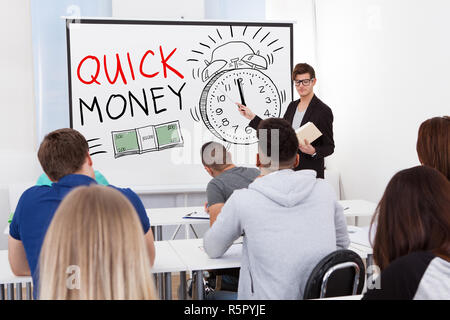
x: 433, y: 144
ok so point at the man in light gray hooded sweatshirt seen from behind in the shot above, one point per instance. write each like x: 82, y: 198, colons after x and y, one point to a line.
x: 290, y: 220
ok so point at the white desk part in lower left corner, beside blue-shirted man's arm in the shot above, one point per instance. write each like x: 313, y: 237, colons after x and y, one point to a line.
x: 8, y: 278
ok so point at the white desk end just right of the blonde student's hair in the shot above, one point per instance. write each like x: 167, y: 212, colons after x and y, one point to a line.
x: 166, y: 259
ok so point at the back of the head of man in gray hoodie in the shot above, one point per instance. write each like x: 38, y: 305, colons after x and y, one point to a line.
x: 277, y: 143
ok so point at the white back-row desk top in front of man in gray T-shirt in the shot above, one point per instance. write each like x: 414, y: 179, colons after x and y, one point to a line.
x: 173, y: 216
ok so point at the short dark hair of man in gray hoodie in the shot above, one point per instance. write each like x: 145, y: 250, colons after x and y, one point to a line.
x: 287, y: 140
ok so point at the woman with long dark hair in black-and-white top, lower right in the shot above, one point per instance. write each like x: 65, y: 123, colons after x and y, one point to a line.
x: 412, y: 239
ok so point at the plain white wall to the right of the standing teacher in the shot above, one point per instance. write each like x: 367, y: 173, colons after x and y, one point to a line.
x: 383, y: 67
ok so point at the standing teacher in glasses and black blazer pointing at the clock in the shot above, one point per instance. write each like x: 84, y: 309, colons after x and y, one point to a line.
x: 307, y: 108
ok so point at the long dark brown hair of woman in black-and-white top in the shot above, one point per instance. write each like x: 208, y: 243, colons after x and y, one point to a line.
x: 413, y: 215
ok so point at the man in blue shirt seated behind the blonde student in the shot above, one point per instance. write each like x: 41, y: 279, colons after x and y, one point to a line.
x: 64, y: 157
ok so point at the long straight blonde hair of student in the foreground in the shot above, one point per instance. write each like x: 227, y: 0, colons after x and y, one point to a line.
x: 95, y: 249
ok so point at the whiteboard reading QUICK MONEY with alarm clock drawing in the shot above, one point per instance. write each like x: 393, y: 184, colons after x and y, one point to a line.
x: 147, y: 94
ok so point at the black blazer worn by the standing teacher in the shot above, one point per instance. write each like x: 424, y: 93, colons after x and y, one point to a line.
x: 322, y: 117
